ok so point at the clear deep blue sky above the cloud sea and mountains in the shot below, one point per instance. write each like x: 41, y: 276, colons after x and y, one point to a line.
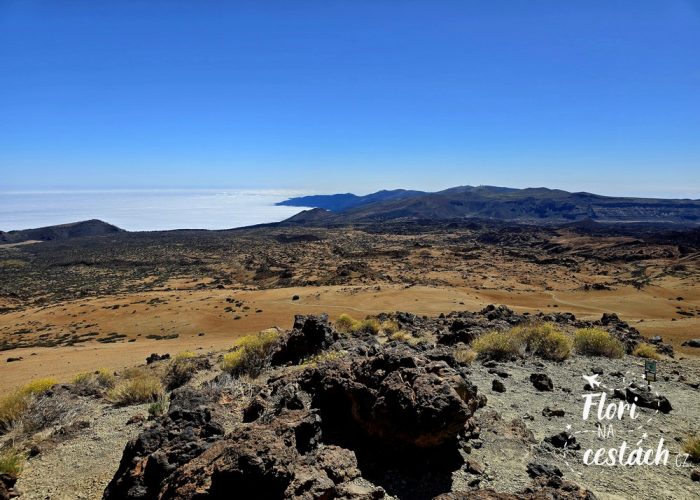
x: 595, y: 95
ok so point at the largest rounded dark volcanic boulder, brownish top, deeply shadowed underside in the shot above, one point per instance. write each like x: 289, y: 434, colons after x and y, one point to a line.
x: 397, y: 397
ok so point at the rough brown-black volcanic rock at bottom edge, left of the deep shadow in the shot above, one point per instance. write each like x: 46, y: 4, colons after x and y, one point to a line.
x: 272, y: 460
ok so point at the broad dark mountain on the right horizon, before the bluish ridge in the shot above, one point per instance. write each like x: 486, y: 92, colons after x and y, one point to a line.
x: 533, y: 205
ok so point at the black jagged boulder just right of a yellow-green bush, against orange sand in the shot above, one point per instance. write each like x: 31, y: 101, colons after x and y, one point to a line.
x: 309, y: 335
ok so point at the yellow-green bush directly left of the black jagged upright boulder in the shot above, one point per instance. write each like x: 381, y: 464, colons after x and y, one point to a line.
x: 252, y: 353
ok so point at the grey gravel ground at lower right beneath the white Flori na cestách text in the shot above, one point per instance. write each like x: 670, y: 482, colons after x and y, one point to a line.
x: 510, y: 417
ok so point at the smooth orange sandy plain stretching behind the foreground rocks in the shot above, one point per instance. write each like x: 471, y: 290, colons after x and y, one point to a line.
x: 189, y: 312
